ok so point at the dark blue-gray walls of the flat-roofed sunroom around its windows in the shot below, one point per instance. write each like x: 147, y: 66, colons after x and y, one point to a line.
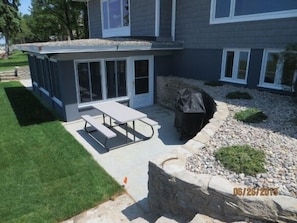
x: 69, y: 109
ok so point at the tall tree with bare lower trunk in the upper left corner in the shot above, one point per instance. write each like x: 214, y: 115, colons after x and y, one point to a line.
x: 9, y: 21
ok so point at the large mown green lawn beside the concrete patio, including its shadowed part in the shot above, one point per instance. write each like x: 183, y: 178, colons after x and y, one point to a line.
x: 45, y: 175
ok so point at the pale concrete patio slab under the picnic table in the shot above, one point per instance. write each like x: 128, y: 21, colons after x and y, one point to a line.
x: 131, y: 161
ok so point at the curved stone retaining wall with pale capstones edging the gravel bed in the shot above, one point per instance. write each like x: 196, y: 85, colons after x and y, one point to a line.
x: 175, y: 190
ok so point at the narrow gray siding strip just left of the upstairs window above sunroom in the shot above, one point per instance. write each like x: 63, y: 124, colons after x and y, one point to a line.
x: 95, y: 25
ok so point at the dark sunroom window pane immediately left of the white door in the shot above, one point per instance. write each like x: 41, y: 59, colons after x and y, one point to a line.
x: 116, y: 78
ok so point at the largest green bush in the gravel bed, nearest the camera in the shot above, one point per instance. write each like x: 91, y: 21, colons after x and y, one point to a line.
x: 242, y: 159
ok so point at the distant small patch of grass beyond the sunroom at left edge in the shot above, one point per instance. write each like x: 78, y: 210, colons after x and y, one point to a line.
x: 17, y: 58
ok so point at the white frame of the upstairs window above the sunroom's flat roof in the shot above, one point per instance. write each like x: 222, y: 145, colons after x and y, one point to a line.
x: 112, y: 32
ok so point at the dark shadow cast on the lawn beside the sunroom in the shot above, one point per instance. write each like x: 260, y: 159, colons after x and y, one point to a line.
x: 27, y: 108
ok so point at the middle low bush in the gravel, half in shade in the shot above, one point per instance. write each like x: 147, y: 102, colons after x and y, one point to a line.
x: 251, y: 115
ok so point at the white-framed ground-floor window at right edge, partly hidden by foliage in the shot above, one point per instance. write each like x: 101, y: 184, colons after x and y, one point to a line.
x: 276, y: 73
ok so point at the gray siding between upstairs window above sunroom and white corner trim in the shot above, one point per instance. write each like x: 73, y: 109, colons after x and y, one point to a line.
x: 142, y: 16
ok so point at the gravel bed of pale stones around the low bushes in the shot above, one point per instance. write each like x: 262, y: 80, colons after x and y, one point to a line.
x: 276, y: 136
